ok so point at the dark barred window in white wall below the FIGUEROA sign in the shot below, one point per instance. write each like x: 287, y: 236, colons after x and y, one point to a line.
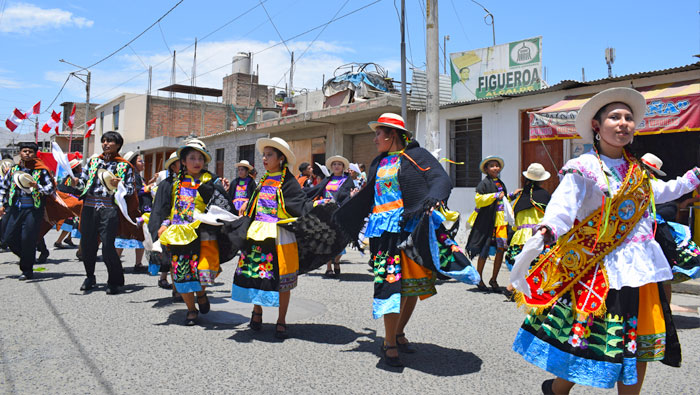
x: 465, y: 146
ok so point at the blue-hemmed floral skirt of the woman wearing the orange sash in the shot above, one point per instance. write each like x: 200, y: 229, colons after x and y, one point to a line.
x: 600, y: 351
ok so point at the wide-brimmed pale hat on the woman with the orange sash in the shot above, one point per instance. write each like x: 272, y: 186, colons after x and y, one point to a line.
x: 629, y: 96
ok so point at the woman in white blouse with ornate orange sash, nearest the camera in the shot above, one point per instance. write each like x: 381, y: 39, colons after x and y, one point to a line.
x: 597, y: 315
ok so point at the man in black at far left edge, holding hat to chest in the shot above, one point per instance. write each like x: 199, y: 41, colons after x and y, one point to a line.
x: 25, y: 210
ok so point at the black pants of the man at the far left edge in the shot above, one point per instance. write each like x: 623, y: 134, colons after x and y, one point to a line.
x: 22, y: 233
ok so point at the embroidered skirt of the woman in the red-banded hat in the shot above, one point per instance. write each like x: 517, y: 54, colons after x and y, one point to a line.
x: 396, y: 275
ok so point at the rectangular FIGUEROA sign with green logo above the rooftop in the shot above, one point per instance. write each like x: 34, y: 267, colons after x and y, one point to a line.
x: 493, y: 71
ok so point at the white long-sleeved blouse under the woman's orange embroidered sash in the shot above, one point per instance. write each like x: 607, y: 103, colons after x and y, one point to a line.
x: 639, y: 259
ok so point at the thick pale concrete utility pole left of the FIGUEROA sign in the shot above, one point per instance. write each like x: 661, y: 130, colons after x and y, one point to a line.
x: 432, y: 69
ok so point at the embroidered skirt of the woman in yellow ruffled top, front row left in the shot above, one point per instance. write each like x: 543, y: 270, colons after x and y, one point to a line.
x: 195, y: 264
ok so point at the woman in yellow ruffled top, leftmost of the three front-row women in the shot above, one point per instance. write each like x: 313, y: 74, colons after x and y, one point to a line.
x: 192, y: 245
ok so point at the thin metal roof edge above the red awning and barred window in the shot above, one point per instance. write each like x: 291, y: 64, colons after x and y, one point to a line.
x: 571, y: 84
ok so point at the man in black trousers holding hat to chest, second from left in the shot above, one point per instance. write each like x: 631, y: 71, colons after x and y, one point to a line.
x: 100, y: 215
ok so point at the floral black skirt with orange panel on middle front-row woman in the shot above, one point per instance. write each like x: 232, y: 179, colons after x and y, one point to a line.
x: 266, y: 268
